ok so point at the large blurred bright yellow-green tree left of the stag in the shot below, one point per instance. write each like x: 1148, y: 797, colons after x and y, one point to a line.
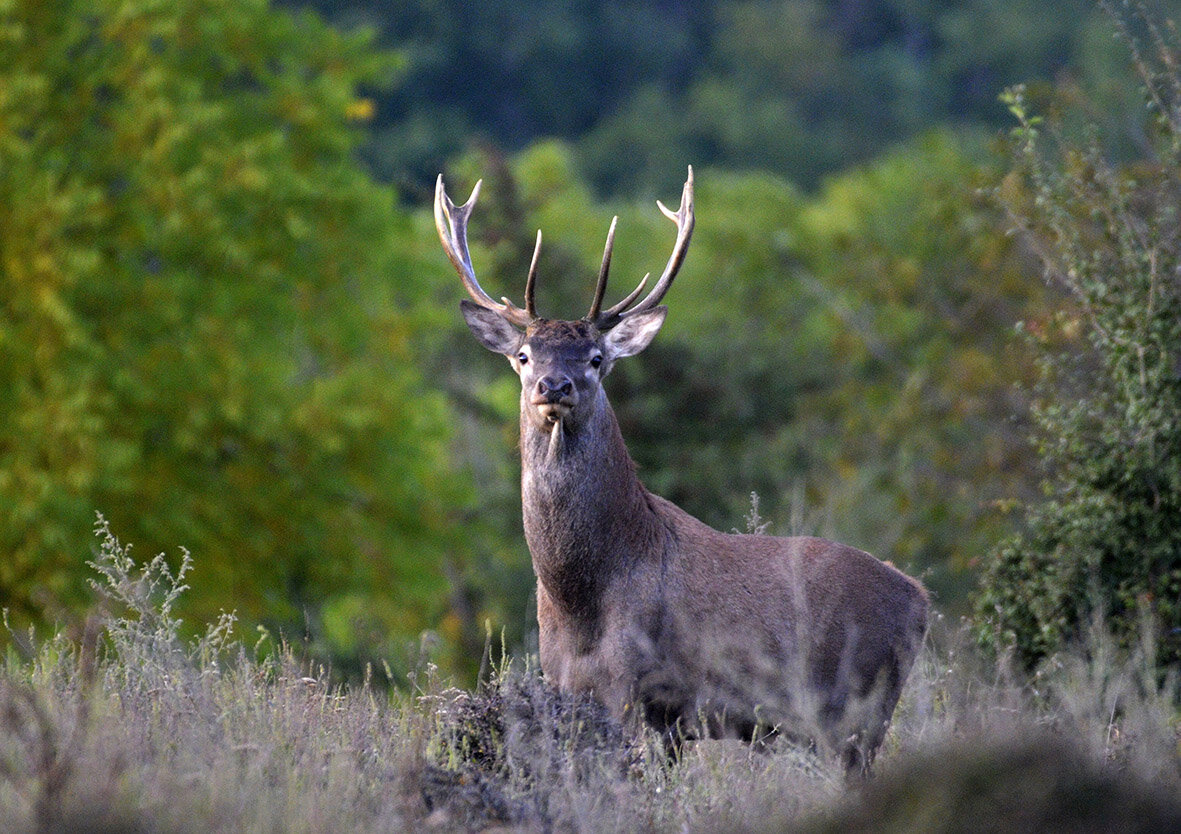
x: 208, y: 321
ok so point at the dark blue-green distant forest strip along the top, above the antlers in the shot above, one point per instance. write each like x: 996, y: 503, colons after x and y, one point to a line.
x: 798, y: 88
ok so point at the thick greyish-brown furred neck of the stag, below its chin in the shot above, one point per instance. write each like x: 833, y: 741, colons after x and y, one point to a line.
x: 588, y: 517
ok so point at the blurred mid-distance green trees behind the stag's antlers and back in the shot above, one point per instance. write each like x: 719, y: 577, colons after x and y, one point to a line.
x: 846, y: 356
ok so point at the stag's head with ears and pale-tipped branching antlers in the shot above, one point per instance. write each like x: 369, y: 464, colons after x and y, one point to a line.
x: 562, y: 364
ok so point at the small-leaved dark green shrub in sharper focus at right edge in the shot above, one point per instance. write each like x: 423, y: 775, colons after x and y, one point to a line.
x: 1107, y: 539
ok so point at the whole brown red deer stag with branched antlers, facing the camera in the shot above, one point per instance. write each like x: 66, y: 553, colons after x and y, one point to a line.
x: 699, y: 633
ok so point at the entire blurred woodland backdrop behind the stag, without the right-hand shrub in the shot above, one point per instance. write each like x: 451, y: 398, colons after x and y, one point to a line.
x: 225, y: 330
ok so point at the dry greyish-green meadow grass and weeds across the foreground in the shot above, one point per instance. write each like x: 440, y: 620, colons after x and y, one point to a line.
x: 121, y: 725
